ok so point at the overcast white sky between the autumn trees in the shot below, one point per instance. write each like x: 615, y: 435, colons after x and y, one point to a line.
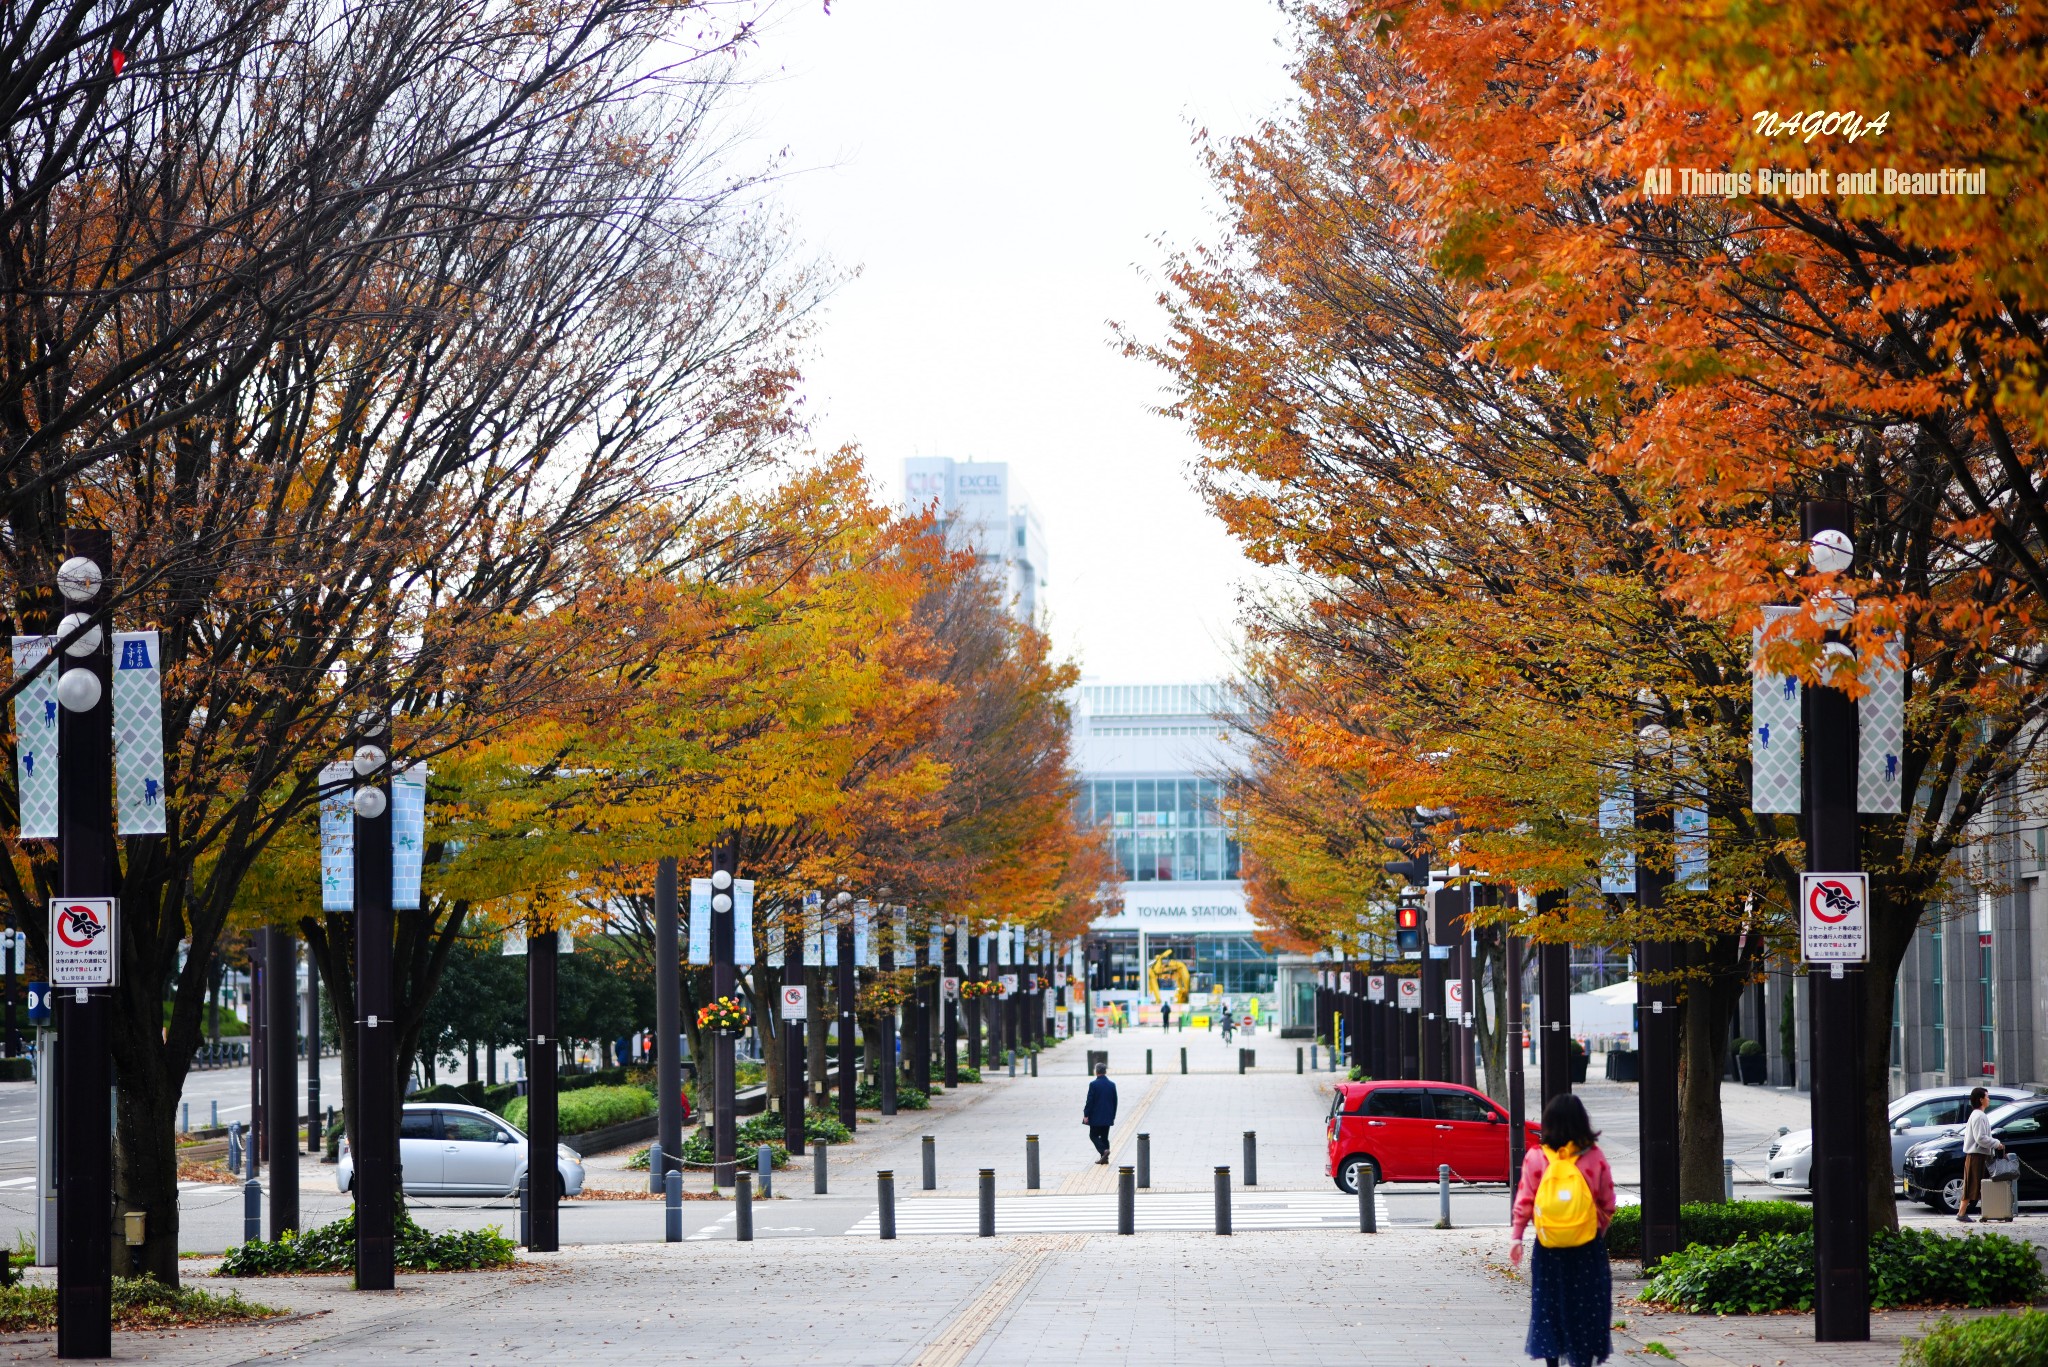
x: 1005, y: 179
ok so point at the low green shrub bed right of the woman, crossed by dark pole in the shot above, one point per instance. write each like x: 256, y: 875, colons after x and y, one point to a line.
x: 1908, y: 1268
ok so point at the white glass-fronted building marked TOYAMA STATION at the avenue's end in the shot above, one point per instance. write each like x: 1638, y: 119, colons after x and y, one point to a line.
x: 1156, y: 768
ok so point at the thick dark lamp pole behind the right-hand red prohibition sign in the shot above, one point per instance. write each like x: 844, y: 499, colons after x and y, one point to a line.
x: 1836, y: 1022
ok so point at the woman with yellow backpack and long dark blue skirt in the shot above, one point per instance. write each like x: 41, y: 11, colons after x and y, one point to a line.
x: 1568, y: 1194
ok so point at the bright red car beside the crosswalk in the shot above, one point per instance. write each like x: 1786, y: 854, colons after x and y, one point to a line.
x: 1408, y: 1128
